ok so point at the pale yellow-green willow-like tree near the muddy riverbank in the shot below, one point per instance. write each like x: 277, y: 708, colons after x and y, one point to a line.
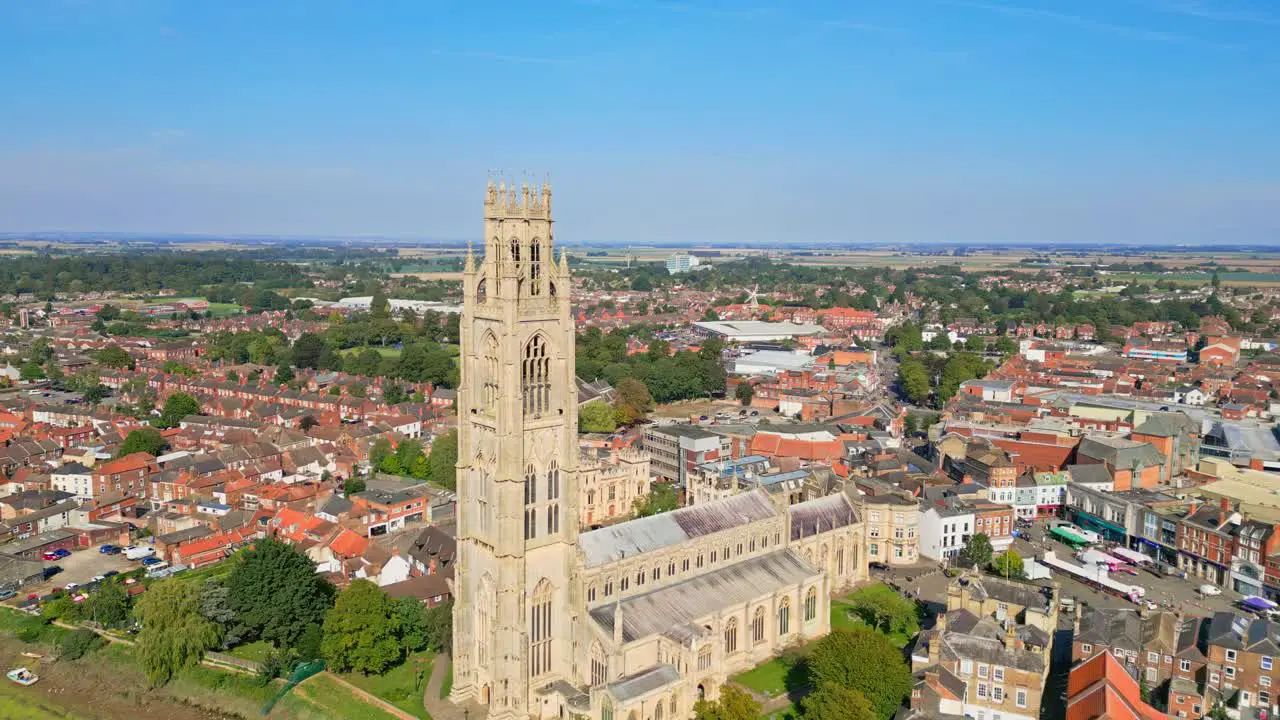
x: 173, y: 634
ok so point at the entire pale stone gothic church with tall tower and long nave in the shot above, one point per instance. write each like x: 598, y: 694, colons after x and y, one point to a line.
x: 632, y: 622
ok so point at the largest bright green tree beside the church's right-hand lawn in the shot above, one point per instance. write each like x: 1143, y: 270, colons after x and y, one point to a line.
x: 863, y: 660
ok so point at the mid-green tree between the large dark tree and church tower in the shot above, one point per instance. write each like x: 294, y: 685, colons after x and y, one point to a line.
x: 360, y: 632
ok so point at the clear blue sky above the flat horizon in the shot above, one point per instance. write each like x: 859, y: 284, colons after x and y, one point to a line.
x: 756, y: 121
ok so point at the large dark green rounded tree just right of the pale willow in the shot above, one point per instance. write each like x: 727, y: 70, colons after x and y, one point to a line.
x: 276, y: 594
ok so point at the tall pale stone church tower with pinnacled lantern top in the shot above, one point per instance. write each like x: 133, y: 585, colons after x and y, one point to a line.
x: 518, y: 462
